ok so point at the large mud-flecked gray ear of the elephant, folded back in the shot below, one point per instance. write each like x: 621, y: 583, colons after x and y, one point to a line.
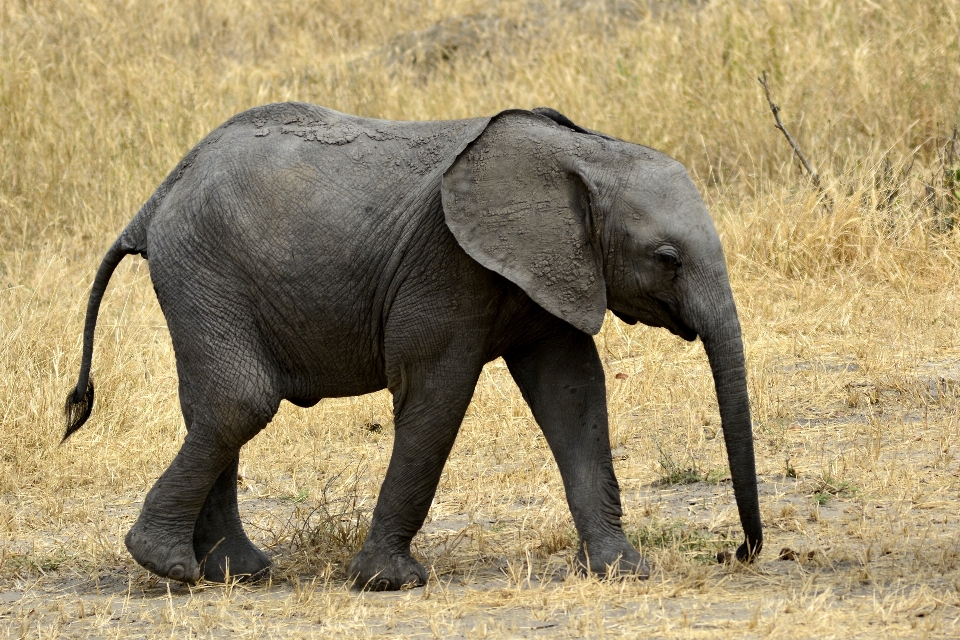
x: 518, y: 201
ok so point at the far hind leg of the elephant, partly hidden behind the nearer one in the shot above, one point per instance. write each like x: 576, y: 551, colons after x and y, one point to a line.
x: 219, y: 542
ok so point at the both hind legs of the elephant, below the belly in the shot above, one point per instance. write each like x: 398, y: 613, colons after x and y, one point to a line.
x: 190, y: 516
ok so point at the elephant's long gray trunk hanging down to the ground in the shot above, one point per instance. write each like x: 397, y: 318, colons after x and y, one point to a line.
x: 719, y: 329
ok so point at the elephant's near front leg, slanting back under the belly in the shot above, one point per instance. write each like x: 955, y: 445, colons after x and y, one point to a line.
x: 428, y: 411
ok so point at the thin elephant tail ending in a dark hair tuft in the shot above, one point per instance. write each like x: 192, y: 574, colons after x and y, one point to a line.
x: 80, y: 401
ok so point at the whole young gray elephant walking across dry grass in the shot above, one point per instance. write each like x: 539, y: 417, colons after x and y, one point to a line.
x: 300, y: 254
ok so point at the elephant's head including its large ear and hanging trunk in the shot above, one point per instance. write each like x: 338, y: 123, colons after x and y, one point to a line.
x: 584, y: 223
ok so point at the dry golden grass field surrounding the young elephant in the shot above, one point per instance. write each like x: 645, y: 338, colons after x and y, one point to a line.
x: 849, y: 299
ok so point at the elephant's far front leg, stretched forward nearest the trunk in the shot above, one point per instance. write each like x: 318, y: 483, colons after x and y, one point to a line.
x: 563, y: 382
